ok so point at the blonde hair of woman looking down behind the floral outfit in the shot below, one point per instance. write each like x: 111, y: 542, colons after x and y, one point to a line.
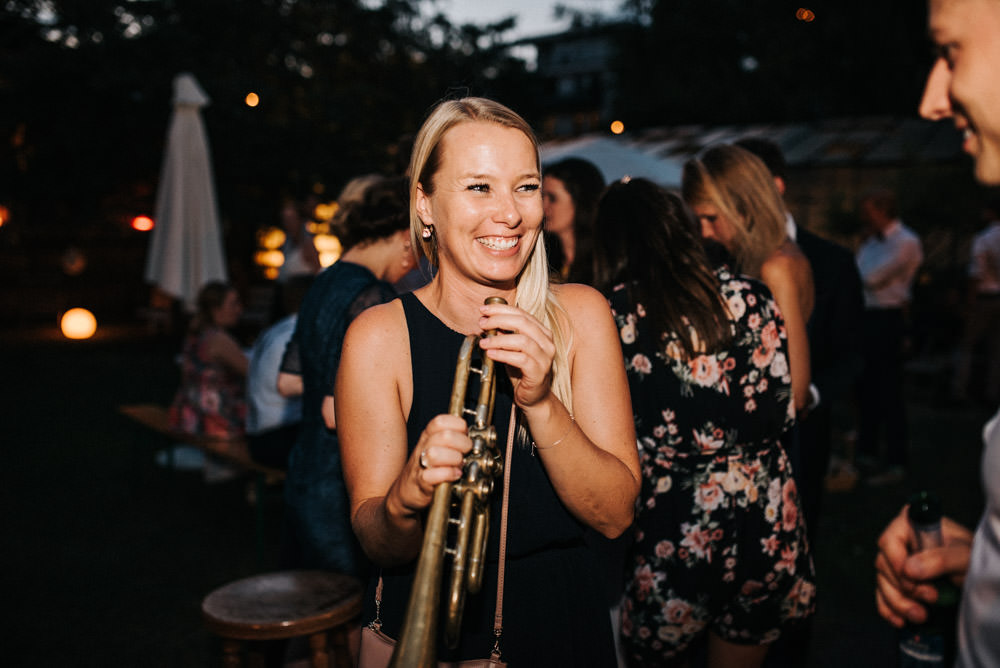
x: 739, y: 184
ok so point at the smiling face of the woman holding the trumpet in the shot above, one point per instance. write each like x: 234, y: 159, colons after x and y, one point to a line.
x: 486, y: 208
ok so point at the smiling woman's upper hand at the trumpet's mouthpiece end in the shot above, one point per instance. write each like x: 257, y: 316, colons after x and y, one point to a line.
x: 524, y: 345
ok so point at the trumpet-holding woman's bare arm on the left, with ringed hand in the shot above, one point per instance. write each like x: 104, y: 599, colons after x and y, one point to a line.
x: 388, y: 490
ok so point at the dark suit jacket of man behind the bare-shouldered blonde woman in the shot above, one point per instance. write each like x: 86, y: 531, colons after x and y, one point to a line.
x: 834, y: 328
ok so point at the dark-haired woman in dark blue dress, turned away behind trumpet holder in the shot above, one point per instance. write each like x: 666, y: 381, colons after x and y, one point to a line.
x: 373, y: 230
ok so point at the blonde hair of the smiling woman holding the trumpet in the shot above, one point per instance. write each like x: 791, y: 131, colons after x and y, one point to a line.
x: 533, y: 293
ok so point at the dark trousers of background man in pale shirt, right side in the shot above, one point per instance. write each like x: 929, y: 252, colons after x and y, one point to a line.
x: 880, y: 388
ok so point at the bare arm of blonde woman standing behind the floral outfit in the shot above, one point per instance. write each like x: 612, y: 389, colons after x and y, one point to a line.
x: 790, y: 280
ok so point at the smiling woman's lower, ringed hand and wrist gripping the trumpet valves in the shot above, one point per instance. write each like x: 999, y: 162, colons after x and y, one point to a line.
x: 437, y: 458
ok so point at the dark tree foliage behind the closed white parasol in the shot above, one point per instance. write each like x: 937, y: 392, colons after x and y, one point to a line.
x: 86, y: 95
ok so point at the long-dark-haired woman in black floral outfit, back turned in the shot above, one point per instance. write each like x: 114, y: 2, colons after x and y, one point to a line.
x: 720, y: 548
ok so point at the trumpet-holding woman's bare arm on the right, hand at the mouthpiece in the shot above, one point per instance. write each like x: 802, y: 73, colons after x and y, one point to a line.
x: 590, y: 458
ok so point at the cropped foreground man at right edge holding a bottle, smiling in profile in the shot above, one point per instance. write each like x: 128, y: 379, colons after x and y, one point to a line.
x: 965, y: 87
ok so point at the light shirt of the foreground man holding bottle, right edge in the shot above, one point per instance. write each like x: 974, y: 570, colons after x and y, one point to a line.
x: 979, y: 611
